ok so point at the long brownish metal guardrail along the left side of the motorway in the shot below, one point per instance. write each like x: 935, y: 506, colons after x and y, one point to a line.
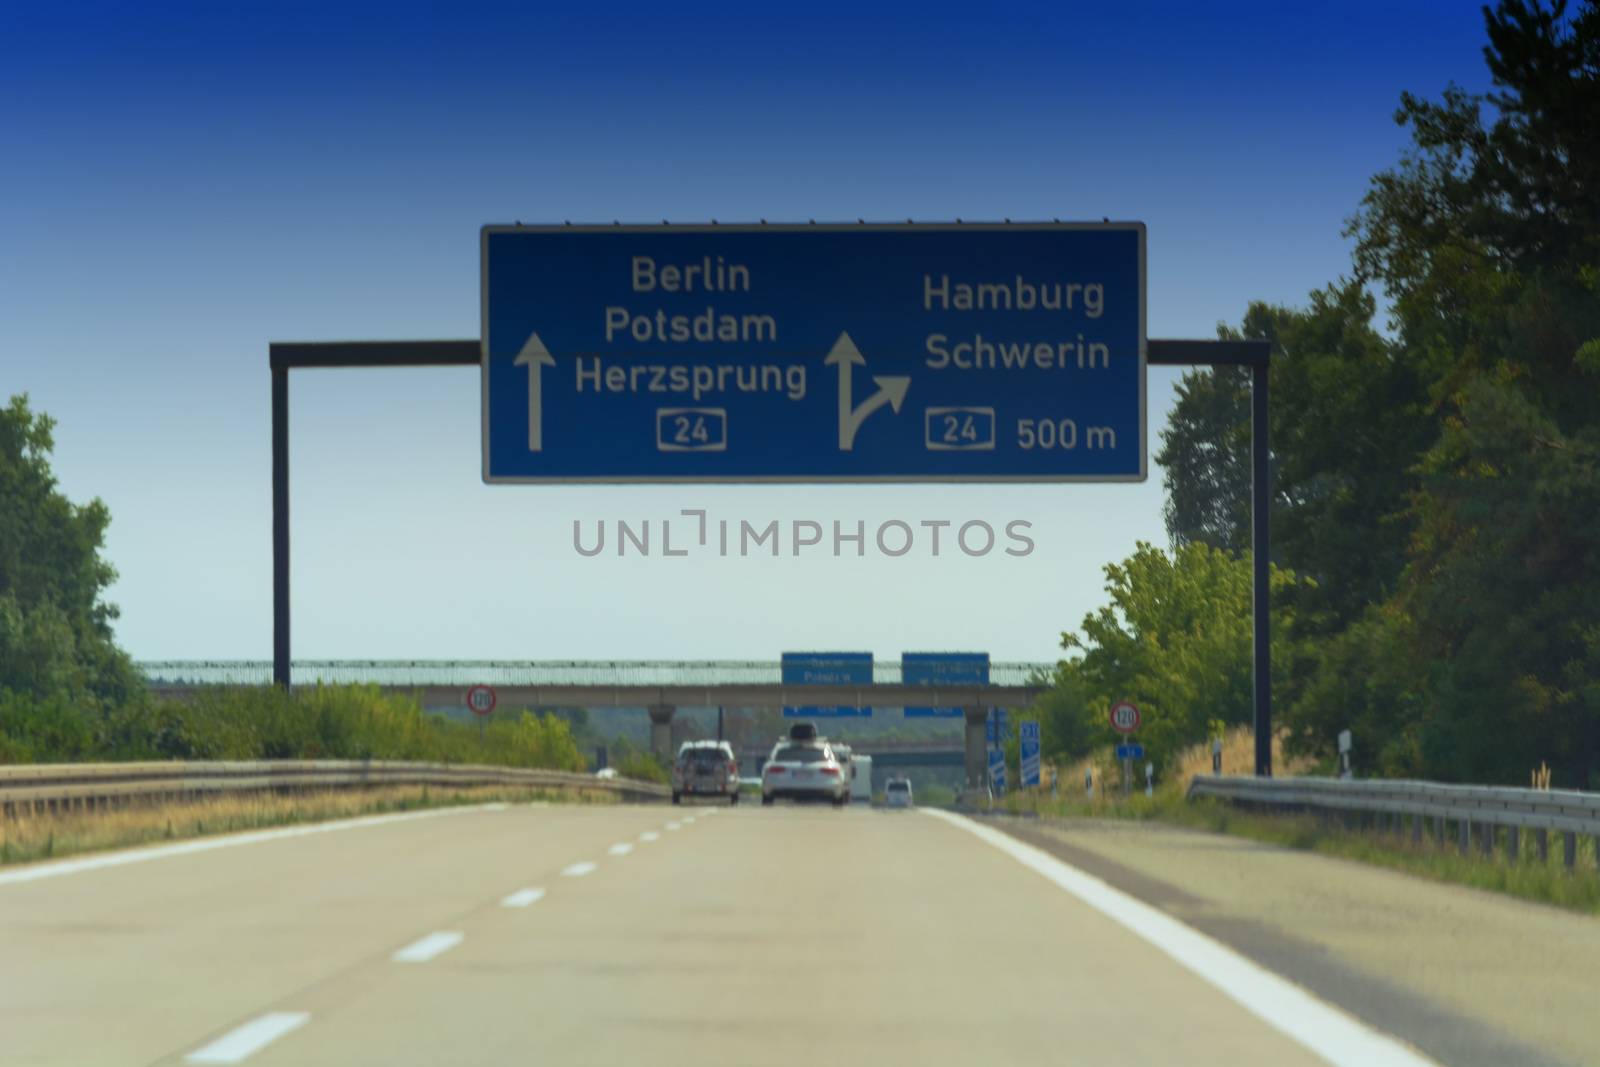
x: 38, y: 788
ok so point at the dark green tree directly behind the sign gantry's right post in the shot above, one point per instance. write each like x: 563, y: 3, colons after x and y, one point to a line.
x: 1348, y: 425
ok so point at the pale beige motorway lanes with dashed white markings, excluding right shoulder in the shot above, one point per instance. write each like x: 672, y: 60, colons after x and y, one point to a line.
x: 577, y: 935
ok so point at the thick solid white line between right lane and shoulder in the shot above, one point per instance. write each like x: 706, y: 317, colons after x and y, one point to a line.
x: 1326, y: 1031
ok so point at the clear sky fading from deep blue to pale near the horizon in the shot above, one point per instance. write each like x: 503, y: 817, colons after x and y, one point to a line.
x: 182, y: 185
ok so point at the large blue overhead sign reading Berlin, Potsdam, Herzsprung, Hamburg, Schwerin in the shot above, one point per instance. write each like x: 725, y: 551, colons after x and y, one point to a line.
x: 814, y: 353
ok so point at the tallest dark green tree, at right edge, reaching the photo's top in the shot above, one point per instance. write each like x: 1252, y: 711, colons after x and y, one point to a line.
x: 1487, y: 241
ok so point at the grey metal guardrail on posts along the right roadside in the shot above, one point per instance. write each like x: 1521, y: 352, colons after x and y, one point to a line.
x: 1478, y: 812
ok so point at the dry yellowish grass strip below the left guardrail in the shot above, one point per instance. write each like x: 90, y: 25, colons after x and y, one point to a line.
x: 30, y: 839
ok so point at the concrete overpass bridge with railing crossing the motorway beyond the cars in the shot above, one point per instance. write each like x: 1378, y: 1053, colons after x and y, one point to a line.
x: 655, y: 687
